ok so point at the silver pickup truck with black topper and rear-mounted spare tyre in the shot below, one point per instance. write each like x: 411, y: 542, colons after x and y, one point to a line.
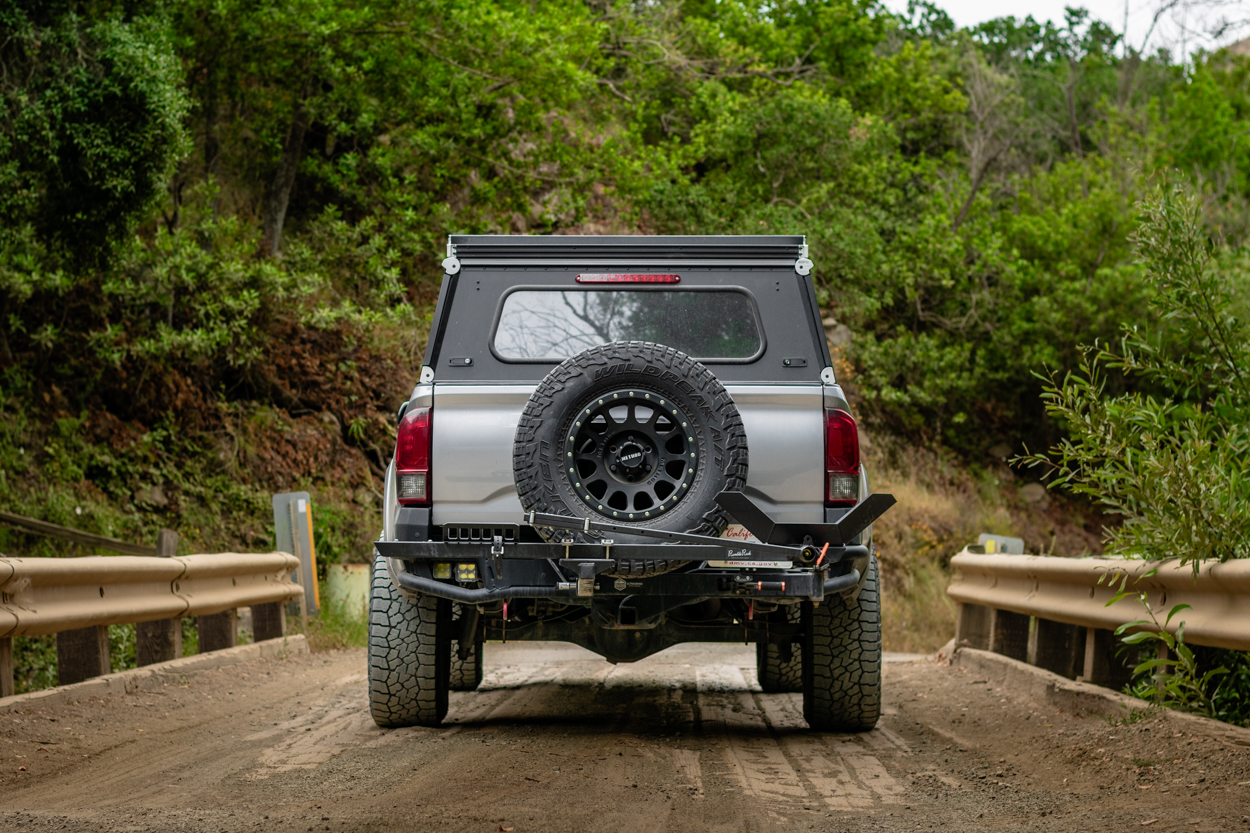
x: 628, y: 443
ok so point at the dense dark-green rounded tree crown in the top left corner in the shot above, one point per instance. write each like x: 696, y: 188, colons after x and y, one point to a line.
x: 92, y: 113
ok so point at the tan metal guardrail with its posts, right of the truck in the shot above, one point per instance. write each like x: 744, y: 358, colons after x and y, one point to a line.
x: 1053, y: 612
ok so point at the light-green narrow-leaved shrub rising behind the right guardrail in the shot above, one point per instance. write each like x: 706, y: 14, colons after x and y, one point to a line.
x: 1171, y: 458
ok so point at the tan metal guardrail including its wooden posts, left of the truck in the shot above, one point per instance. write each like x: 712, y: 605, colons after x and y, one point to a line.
x: 79, y: 598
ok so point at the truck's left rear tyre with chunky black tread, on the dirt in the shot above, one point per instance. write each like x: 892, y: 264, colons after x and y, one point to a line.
x: 409, y: 652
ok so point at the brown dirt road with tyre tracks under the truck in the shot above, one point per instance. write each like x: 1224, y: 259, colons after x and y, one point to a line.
x: 559, y: 740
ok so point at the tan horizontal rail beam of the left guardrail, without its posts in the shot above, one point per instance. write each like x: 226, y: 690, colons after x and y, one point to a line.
x: 42, y: 596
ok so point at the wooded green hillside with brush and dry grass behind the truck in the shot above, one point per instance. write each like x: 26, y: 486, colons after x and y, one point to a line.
x: 221, y: 226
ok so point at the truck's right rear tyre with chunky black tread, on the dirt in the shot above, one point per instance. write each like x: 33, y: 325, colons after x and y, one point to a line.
x: 842, y: 661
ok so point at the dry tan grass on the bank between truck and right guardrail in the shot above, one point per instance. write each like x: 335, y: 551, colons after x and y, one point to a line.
x: 944, y: 506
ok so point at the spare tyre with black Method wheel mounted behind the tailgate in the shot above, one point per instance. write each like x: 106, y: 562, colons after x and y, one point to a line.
x: 636, y: 433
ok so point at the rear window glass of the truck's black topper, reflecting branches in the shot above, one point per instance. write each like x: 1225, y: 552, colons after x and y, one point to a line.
x: 553, y: 325
